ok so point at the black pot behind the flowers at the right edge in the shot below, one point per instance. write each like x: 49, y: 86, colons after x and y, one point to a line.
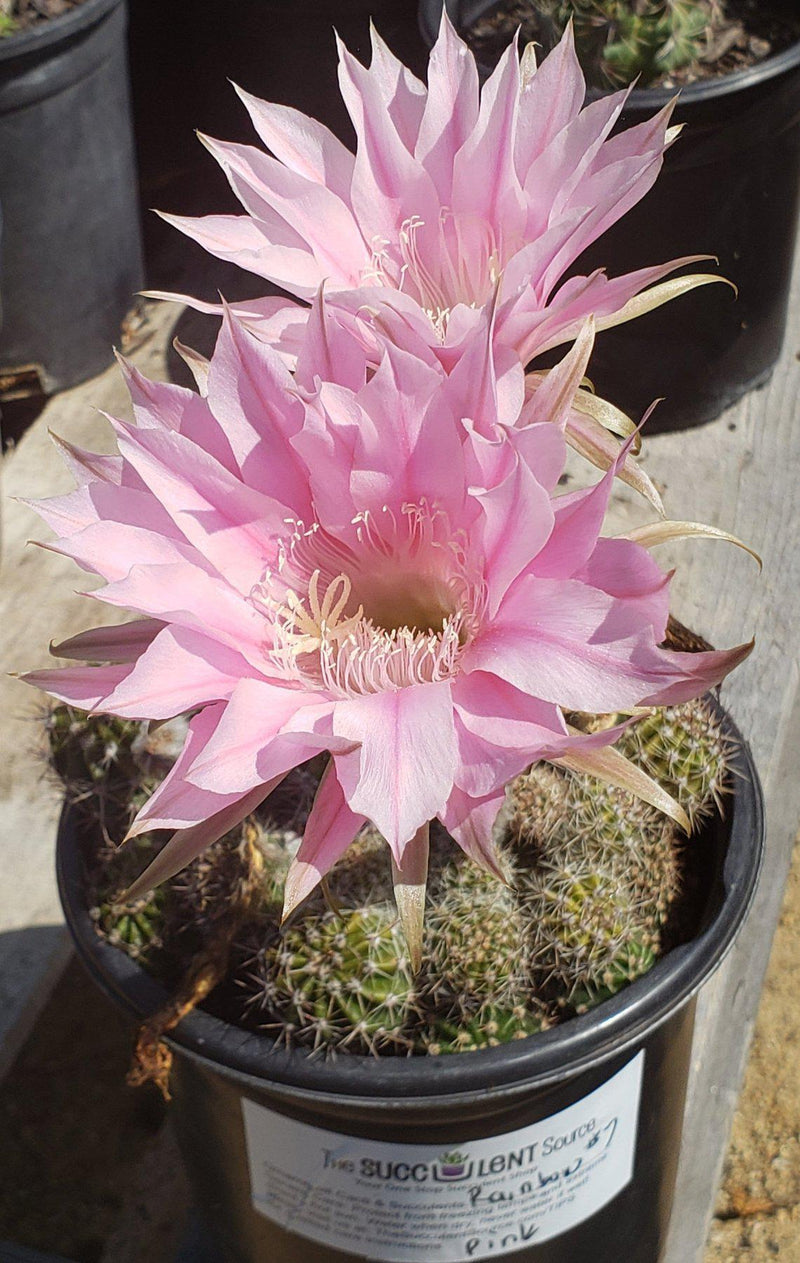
x: 730, y: 189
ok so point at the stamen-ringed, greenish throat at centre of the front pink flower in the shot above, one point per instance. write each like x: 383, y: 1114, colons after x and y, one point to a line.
x: 416, y: 613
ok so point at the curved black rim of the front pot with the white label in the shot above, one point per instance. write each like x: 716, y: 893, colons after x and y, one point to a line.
x: 566, y: 1050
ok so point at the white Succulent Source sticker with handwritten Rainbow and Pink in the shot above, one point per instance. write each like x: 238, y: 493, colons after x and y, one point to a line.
x: 472, y: 1200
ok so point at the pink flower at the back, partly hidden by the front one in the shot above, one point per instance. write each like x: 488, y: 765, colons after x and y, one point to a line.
x: 454, y: 199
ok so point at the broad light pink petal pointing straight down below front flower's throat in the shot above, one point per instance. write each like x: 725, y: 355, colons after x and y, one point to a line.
x: 404, y: 771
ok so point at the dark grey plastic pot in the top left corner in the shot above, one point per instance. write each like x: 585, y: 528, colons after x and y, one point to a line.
x: 71, y: 247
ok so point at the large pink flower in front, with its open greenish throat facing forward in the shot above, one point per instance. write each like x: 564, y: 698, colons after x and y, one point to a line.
x: 368, y: 564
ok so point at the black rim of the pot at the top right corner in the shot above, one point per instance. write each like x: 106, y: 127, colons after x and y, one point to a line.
x: 653, y: 98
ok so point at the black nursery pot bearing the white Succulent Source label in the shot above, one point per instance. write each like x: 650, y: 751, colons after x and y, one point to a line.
x: 557, y: 1149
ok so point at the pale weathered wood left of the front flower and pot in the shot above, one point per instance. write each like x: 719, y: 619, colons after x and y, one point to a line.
x: 39, y: 604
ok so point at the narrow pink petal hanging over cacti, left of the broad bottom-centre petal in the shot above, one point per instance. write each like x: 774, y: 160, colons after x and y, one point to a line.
x: 330, y: 829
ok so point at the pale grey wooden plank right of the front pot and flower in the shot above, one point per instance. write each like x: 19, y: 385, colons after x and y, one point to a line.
x: 740, y: 473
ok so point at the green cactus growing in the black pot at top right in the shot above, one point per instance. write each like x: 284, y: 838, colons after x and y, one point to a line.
x: 622, y: 41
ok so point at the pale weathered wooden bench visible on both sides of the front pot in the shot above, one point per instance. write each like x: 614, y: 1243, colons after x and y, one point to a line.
x: 740, y: 473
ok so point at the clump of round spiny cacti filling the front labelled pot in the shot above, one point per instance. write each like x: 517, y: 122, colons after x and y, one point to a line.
x: 593, y: 878
